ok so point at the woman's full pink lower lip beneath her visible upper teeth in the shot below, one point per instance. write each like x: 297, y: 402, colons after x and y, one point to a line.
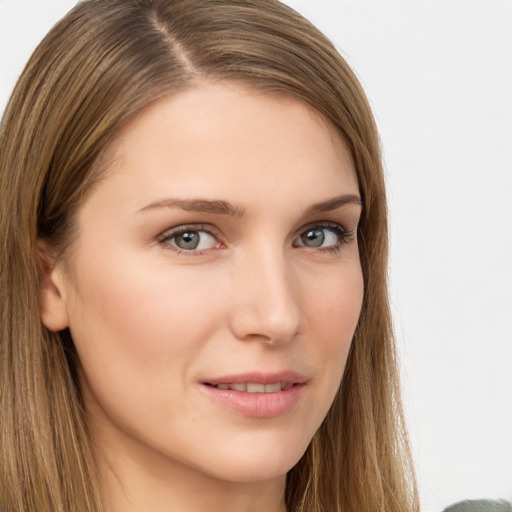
x: 257, y: 405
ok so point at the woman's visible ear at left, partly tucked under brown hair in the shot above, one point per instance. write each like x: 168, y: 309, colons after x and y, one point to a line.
x: 54, y: 313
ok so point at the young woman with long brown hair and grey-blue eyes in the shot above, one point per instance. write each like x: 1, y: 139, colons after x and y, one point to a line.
x: 193, y: 272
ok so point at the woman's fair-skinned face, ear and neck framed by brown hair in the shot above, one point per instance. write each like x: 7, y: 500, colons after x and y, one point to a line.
x: 219, y: 250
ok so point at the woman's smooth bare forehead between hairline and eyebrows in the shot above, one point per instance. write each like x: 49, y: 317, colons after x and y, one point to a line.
x: 221, y: 139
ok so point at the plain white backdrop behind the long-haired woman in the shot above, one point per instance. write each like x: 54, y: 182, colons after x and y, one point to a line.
x: 439, y: 76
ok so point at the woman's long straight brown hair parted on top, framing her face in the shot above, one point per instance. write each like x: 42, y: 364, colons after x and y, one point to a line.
x: 97, y: 68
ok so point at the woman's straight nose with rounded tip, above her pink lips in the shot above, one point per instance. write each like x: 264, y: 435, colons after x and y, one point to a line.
x: 266, y: 304
